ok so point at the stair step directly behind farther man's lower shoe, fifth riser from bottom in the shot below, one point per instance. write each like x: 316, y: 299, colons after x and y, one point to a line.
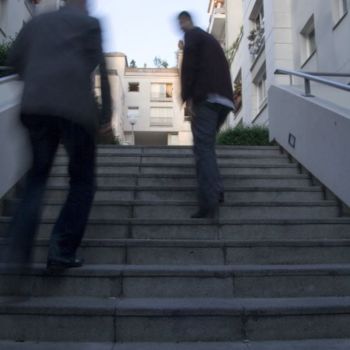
x: 184, y: 209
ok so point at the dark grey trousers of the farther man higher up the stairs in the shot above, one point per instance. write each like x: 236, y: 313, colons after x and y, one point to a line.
x: 205, y: 124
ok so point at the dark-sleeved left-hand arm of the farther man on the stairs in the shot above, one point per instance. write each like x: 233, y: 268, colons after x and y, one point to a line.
x: 190, y: 64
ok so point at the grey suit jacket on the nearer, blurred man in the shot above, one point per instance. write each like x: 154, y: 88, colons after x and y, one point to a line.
x: 56, y: 55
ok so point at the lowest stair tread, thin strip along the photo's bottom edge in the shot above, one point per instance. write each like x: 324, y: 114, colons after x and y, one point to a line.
x: 319, y: 344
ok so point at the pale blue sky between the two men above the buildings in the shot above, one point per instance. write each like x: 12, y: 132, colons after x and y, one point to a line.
x: 143, y: 29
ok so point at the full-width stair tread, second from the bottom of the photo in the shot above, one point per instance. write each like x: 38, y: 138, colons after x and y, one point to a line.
x: 176, y: 306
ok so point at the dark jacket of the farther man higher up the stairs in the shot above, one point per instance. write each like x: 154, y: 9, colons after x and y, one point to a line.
x: 205, y: 69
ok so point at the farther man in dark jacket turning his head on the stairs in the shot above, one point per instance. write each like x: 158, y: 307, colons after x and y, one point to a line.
x: 208, y: 94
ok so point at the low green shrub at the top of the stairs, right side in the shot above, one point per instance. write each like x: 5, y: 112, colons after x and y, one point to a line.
x: 244, y: 136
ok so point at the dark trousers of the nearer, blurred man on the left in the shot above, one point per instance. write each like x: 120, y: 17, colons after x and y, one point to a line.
x: 46, y: 133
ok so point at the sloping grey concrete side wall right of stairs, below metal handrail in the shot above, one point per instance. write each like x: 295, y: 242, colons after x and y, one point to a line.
x: 321, y: 131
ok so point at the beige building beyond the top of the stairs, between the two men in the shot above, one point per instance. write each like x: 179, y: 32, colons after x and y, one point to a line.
x: 147, y: 104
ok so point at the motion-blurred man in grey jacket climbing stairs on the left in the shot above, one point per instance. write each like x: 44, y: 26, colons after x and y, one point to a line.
x: 55, y: 55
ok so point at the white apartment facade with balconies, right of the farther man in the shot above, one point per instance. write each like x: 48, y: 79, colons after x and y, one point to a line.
x: 261, y: 36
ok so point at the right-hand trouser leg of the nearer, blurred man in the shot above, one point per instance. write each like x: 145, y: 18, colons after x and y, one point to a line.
x: 71, y: 224
